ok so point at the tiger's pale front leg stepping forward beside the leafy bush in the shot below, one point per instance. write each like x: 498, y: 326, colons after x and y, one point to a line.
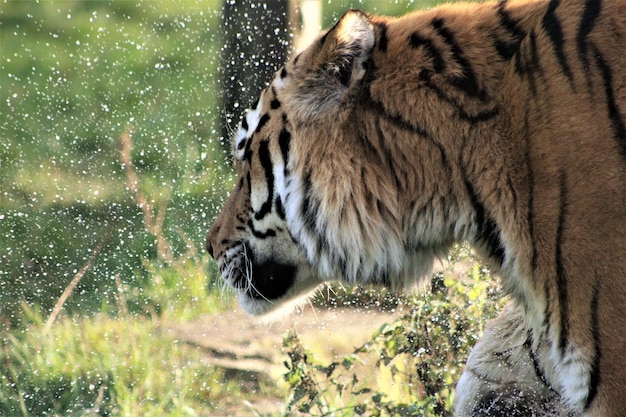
x: 502, y: 378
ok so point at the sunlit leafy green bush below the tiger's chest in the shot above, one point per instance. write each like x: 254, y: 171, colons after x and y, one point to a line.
x: 410, y: 366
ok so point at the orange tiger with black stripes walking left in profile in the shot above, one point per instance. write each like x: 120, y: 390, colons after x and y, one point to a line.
x: 390, y: 139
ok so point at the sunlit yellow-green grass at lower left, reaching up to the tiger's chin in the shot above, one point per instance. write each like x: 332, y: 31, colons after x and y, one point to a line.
x: 122, y: 364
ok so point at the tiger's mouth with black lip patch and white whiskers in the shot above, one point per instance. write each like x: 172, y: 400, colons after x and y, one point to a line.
x: 267, y: 280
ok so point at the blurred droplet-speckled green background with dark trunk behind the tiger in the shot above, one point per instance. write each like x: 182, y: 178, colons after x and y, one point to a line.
x: 171, y: 77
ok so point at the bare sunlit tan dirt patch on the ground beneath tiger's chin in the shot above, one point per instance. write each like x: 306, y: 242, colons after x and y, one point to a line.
x: 241, y: 343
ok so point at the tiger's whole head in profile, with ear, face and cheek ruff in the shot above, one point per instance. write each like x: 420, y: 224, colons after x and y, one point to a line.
x: 311, y: 203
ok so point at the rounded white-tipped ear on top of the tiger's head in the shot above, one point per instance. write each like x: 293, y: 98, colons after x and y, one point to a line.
x: 345, y: 48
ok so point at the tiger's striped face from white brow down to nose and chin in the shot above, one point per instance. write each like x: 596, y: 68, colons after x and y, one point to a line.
x: 255, y: 251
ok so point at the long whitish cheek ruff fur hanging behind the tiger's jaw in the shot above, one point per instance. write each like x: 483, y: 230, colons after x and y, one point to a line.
x: 344, y: 243
